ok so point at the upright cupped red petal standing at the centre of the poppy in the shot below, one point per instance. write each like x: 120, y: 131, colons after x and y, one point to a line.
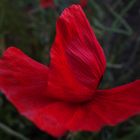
x: 77, y: 60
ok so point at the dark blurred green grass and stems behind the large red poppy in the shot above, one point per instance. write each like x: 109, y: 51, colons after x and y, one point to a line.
x: 24, y: 24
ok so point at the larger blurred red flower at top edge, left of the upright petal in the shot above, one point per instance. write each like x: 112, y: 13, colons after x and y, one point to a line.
x: 47, y: 3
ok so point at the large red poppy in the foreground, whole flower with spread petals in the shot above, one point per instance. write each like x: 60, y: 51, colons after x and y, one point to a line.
x: 64, y: 96
